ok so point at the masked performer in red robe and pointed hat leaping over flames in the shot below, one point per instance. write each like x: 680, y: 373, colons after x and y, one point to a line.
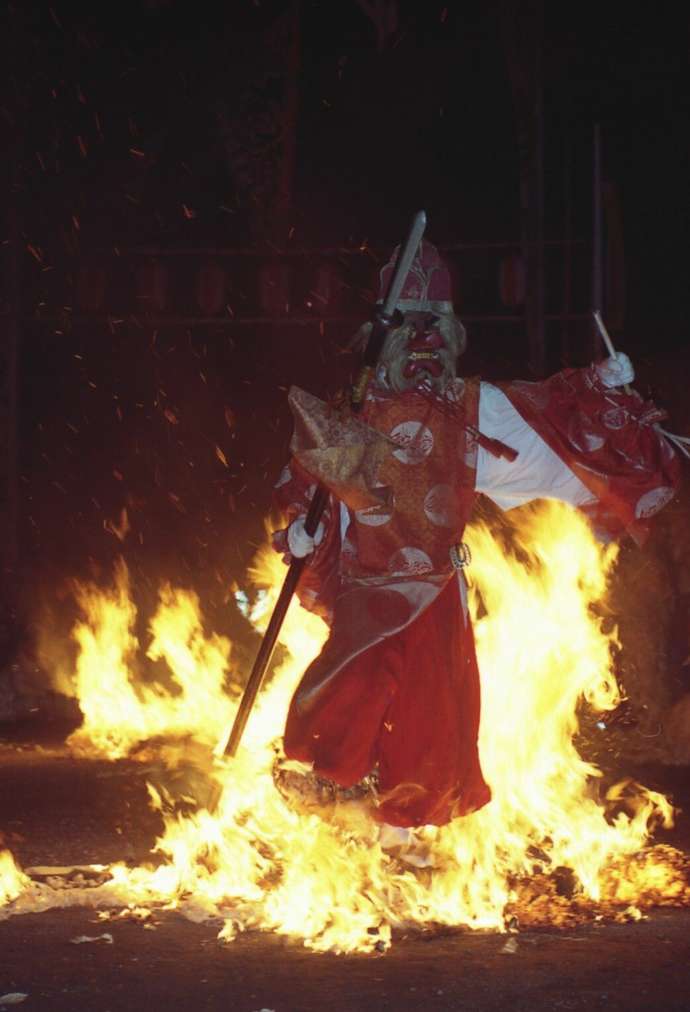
x: 395, y: 693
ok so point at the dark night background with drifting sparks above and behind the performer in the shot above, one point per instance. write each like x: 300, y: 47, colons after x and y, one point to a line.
x: 143, y: 134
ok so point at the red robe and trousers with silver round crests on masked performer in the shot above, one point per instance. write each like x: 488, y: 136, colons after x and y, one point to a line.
x: 396, y: 688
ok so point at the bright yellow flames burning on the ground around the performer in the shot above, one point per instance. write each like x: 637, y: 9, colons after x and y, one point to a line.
x: 257, y: 863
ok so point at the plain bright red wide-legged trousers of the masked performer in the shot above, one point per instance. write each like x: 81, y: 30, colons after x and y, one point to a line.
x: 410, y: 707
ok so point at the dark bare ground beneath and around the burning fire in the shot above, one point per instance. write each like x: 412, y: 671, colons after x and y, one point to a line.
x: 59, y: 811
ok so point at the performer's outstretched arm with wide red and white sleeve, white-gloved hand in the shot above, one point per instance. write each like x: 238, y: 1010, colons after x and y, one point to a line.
x: 608, y: 453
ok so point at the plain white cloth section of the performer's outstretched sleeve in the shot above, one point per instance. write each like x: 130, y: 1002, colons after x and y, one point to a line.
x: 538, y: 473
